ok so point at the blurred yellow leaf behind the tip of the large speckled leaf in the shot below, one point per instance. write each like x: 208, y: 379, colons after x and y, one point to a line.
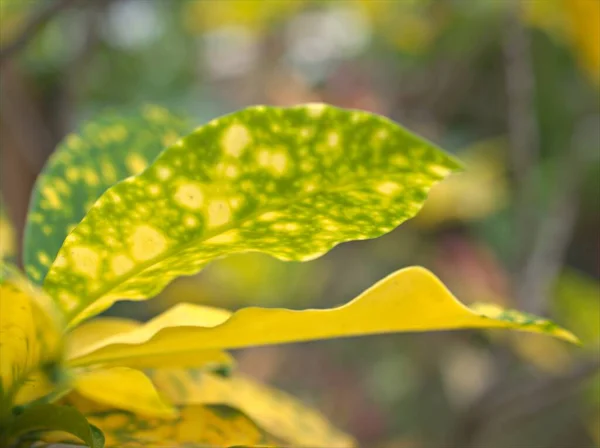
x: 473, y: 194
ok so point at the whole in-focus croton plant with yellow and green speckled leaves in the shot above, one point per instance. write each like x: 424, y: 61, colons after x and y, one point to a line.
x: 125, y: 205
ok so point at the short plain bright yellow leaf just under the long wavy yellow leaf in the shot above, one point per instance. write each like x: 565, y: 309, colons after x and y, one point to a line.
x: 124, y: 388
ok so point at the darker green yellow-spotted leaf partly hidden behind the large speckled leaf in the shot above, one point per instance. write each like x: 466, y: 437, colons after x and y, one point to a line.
x: 85, y: 164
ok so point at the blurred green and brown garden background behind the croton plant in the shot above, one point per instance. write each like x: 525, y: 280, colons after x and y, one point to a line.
x: 512, y: 88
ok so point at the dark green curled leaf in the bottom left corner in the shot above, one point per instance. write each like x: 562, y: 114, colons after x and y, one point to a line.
x: 56, y: 418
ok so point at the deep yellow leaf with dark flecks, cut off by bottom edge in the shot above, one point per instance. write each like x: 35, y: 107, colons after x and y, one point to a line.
x: 197, y: 425
